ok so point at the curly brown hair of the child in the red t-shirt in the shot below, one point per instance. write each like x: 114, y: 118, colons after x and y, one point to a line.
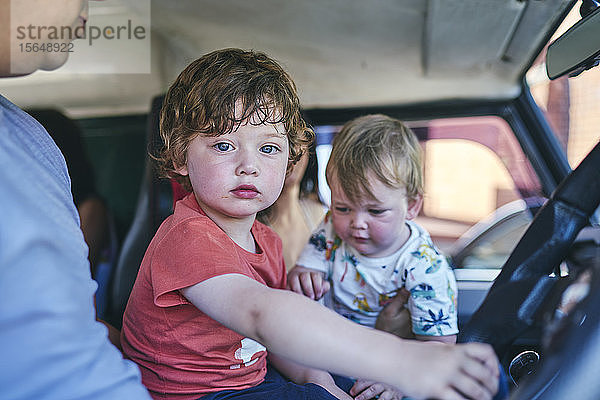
x: 203, y: 98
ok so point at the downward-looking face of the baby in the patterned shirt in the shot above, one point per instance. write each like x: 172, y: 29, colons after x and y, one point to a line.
x: 375, y: 228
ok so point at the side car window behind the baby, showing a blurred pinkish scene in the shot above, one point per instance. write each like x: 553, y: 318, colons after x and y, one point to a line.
x: 473, y: 167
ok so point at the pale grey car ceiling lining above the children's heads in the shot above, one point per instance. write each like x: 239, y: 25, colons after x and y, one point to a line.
x: 340, y: 52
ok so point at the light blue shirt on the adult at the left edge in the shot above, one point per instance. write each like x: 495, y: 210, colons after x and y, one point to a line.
x: 51, y: 344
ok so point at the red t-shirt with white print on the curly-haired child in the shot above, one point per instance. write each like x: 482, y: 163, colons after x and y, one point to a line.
x: 182, y: 352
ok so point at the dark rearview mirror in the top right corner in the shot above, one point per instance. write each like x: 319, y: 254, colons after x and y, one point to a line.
x: 576, y: 50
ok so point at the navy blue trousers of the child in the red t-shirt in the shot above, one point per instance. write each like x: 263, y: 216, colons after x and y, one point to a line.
x: 276, y: 386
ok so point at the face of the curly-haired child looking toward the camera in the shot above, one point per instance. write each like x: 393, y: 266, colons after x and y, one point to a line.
x: 240, y: 173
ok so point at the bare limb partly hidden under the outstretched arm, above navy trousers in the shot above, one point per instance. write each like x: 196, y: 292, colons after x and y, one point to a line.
x: 301, y: 375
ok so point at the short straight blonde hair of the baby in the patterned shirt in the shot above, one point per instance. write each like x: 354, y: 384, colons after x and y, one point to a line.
x: 376, y: 145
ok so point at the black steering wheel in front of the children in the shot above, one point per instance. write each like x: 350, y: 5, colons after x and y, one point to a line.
x: 523, y: 284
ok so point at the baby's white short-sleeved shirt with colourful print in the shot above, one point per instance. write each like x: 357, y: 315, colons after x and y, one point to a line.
x: 361, y: 286
